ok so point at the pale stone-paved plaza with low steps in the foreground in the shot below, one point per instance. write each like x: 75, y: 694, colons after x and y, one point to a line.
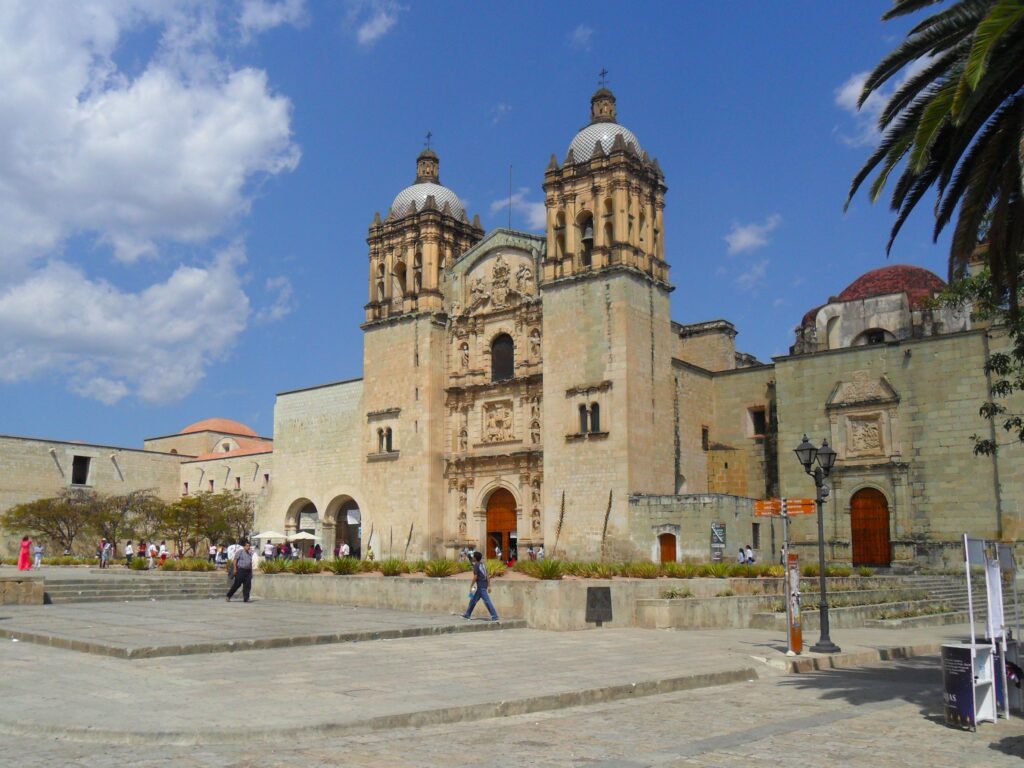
x: 290, y: 684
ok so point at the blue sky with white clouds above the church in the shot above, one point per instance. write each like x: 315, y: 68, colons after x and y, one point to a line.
x: 186, y: 187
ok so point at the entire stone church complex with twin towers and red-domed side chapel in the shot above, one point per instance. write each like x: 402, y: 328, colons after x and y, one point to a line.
x: 524, y: 390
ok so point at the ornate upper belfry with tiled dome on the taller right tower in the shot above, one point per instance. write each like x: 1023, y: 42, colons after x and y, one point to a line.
x: 606, y: 203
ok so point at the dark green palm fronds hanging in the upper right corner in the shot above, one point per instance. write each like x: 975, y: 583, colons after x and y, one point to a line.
x: 957, y: 123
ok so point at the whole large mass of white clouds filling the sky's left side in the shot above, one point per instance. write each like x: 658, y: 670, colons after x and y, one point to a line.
x: 135, y: 162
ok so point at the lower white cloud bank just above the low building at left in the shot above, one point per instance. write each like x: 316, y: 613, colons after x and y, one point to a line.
x: 155, y: 344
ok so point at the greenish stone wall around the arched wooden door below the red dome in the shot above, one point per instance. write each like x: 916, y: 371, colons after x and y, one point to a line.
x: 902, y: 416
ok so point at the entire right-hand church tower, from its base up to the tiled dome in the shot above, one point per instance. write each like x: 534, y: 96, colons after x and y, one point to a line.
x: 608, y: 363
